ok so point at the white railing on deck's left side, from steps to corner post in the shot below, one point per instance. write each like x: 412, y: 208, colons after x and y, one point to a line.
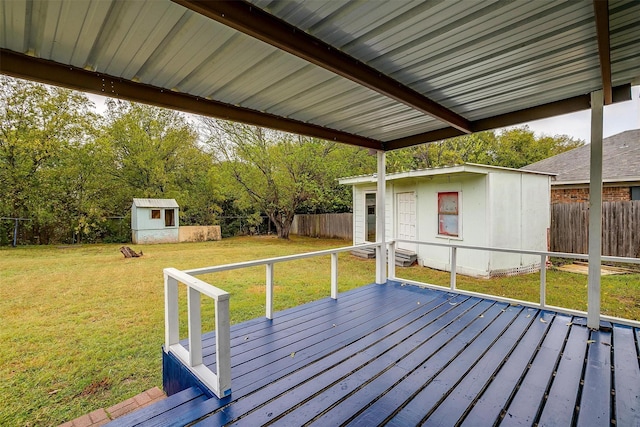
x: 220, y: 382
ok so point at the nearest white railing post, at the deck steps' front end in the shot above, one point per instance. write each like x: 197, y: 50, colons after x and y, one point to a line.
x: 223, y: 349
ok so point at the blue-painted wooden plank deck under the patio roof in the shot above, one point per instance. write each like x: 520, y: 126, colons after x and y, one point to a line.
x: 402, y: 355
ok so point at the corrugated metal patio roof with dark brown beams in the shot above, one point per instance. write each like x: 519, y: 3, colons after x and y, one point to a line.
x: 376, y: 74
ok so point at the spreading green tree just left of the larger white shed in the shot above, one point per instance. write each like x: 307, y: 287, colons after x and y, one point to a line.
x: 281, y: 174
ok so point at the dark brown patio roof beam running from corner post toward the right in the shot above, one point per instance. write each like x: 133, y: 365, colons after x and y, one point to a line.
x: 570, y: 105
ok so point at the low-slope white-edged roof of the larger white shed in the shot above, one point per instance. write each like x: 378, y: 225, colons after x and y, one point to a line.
x: 464, y: 169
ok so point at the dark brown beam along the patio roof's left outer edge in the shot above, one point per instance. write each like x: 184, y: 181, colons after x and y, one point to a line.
x: 53, y: 73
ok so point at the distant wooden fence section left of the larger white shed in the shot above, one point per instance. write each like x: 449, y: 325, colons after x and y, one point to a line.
x: 332, y: 226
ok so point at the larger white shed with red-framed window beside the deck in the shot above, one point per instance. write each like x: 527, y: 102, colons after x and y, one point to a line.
x: 469, y: 204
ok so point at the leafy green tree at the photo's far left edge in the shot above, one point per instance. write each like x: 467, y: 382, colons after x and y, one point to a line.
x: 39, y: 127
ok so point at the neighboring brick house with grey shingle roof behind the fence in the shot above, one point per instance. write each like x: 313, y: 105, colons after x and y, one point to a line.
x: 620, y: 170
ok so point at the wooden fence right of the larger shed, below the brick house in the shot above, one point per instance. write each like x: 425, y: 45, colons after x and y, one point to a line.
x: 620, y: 228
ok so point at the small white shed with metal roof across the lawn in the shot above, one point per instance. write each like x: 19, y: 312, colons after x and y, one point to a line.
x: 154, y: 221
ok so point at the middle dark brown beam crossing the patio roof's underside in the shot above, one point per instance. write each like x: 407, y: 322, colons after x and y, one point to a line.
x: 255, y: 22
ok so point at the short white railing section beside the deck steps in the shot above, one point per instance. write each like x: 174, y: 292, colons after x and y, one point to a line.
x: 220, y: 382
